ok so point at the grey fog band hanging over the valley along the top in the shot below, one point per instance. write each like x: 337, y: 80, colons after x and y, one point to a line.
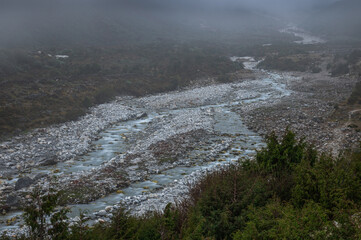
x: 54, y: 22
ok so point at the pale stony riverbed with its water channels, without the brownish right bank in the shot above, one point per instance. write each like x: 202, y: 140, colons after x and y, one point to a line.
x: 160, y: 143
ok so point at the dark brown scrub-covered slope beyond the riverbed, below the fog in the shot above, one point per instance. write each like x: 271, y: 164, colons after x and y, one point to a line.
x: 38, y: 89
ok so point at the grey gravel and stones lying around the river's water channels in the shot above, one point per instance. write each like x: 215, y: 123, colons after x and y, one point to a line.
x: 184, y: 119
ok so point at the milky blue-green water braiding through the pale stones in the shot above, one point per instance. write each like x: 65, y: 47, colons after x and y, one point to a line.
x: 114, y: 141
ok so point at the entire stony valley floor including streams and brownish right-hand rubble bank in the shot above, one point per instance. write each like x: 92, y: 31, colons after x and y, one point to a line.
x: 184, y: 134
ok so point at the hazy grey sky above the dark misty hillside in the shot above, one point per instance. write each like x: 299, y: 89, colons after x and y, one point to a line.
x: 33, y: 19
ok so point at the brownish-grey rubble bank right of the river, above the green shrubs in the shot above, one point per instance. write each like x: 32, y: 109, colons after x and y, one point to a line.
x: 308, y: 112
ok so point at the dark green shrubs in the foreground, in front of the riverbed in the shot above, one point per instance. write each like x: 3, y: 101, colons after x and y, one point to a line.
x: 289, y: 192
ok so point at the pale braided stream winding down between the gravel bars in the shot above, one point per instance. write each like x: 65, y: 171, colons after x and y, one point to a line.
x: 114, y: 141
